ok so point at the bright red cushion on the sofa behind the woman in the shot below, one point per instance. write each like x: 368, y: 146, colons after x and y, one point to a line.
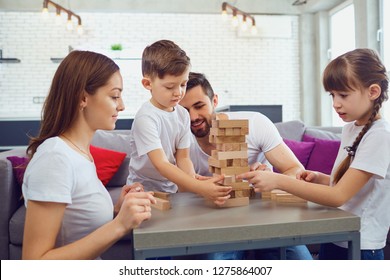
x: 107, y: 162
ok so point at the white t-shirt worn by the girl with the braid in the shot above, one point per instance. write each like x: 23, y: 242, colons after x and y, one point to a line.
x: 372, y: 202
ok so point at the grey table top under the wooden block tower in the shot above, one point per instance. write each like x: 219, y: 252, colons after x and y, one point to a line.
x: 192, y: 221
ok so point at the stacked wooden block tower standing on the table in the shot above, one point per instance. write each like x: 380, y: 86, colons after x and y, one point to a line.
x: 231, y: 156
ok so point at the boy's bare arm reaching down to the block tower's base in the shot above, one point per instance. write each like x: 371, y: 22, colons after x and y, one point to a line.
x: 186, y: 182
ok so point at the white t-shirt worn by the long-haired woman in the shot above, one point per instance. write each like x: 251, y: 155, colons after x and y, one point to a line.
x: 59, y: 174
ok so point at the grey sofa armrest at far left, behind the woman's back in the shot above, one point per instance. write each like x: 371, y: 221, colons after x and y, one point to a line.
x: 10, y: 198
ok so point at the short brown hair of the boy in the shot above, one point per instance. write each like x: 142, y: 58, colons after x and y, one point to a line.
x: 164, y: 57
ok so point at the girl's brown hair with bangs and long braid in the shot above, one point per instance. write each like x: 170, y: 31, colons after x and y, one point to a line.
x: 357, y: 69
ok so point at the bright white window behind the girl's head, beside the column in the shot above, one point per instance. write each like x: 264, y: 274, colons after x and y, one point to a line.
x: 342, y: 37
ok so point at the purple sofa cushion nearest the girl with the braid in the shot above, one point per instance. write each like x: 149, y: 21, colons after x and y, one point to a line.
x: 324, y: 154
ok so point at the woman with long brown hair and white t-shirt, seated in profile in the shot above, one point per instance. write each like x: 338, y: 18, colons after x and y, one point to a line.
x: 70, y: 214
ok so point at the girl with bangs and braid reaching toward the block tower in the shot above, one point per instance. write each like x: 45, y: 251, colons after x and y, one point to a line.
x: 360, y: 179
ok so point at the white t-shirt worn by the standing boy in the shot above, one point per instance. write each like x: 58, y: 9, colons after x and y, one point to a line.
x: 153, y: 129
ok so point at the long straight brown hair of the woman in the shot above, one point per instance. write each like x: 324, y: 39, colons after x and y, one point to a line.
x: 79, y: 72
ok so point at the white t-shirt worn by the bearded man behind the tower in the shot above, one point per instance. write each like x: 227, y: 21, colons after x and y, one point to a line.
x: 263, y: 136
